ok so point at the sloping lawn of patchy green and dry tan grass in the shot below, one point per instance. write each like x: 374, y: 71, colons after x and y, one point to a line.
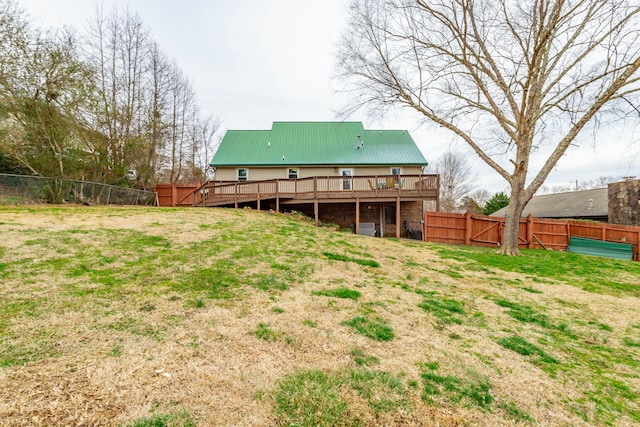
x: 197, y: 317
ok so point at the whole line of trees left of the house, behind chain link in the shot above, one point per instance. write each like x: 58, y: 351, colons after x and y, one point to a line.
x: 106, y: 105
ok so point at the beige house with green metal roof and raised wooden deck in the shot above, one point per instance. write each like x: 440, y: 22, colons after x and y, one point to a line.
x: 337, y: 172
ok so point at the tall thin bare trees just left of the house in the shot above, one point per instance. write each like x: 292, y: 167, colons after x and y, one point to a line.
x: 147, y: 108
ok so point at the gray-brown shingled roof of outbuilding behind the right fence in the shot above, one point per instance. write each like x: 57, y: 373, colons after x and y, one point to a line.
x: 575, y: 204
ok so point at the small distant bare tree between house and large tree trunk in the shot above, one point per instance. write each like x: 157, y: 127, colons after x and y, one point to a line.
x: 456, y: 179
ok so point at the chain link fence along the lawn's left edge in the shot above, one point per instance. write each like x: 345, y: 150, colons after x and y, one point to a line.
x: 35, y: 189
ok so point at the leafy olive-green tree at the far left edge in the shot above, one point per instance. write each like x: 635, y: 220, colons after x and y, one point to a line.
x: 43, y: 99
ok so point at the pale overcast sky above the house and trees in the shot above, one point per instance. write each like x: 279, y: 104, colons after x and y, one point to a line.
x: 253, y: 62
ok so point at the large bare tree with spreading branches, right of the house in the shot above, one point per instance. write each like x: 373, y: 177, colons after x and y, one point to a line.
x: 508, y: 77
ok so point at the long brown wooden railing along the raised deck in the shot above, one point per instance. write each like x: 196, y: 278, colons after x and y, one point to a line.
x: 328, y: 187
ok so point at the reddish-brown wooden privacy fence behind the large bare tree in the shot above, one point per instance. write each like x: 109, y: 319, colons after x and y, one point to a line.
x: 479, y: 230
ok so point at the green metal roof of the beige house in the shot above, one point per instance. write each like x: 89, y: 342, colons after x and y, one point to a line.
x: 317, y: 143
